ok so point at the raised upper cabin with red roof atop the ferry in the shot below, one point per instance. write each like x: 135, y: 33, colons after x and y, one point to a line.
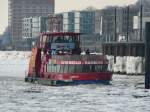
x: 60, y: 43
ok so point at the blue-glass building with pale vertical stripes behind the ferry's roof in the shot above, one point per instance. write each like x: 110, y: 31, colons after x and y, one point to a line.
x: 81, y: 22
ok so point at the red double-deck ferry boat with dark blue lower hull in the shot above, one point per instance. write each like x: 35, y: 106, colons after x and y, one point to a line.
x: 56, y: 60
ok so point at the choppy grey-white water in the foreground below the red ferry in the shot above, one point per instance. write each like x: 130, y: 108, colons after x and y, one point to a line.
x: 123, y: 95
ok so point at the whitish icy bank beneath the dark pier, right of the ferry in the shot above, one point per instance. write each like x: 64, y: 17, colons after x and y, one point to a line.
x: 127, y: 64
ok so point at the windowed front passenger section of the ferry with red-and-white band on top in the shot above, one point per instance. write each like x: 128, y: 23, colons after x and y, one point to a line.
x: 77, y: 64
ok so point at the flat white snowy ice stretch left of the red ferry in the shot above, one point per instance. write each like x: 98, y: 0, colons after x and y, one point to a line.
x: 14, y: 63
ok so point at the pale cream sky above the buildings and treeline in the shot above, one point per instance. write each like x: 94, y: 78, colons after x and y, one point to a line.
x: 64, y: 6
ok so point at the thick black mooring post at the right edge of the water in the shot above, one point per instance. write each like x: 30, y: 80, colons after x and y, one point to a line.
x: 147, y: 56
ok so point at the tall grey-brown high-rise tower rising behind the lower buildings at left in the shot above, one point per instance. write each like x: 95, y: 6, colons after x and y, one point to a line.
x: 19, y: 9
